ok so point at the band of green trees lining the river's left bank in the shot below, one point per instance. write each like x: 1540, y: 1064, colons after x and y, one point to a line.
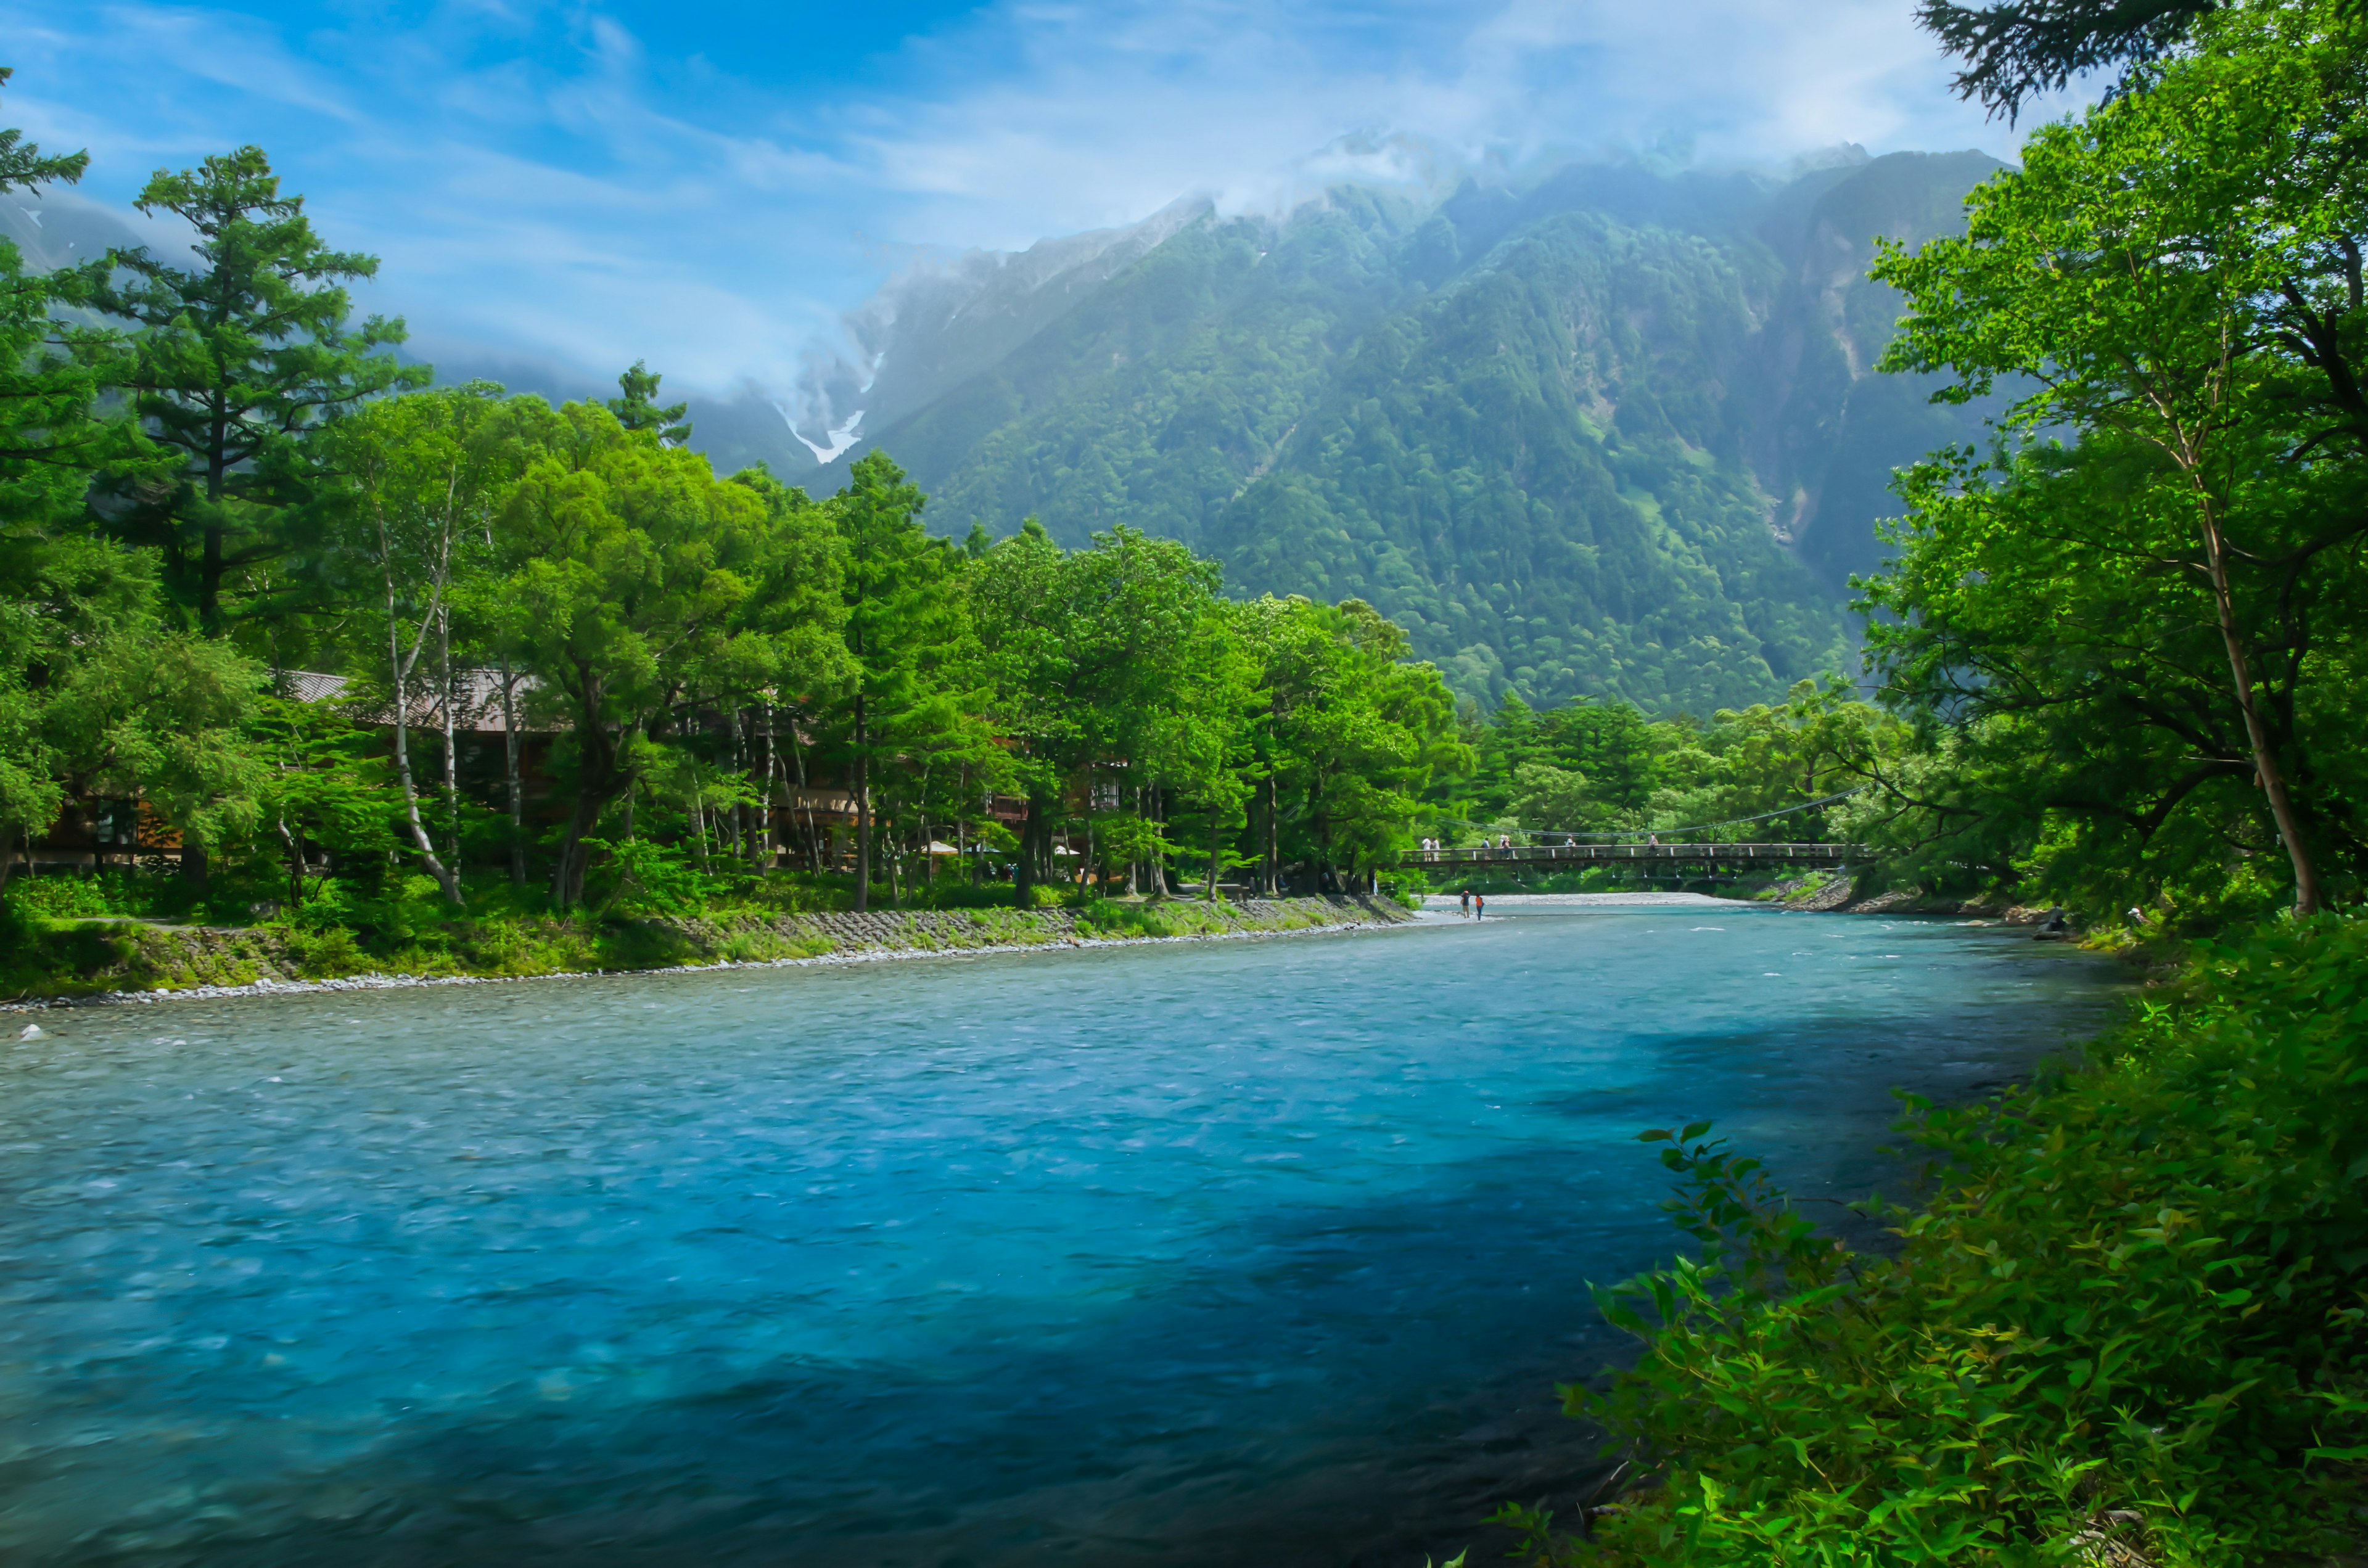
x: 224, y: 489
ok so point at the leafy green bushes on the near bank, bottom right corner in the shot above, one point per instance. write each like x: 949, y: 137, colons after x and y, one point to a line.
x: 2132, y: 1328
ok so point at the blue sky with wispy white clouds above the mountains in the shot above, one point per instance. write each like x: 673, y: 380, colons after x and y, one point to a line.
x: 709, y: 184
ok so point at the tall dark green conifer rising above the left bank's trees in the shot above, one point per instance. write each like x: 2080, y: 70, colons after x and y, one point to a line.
x: 238, y: 361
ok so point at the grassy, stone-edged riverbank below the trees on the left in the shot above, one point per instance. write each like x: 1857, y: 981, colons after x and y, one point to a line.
x: 105, y: 963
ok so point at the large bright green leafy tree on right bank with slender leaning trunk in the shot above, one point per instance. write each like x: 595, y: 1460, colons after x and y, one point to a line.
x: 2177, y: 283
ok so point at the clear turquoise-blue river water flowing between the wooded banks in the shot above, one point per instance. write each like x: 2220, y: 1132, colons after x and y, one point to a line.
x: 1185, y: 1254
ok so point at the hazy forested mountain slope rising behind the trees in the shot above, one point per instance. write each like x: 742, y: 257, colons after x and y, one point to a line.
x: 1614, y: 435
